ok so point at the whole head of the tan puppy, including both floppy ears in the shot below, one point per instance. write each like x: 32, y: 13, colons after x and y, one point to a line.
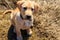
x: 27, y: 9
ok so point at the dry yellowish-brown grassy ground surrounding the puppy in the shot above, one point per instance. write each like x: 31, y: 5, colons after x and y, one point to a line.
x: 46, y: 21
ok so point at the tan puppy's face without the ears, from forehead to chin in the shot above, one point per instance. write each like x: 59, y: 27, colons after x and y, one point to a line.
x: 27, y: 9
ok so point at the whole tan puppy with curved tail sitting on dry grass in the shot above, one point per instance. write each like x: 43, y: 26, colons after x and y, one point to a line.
x: 22, y: 16
